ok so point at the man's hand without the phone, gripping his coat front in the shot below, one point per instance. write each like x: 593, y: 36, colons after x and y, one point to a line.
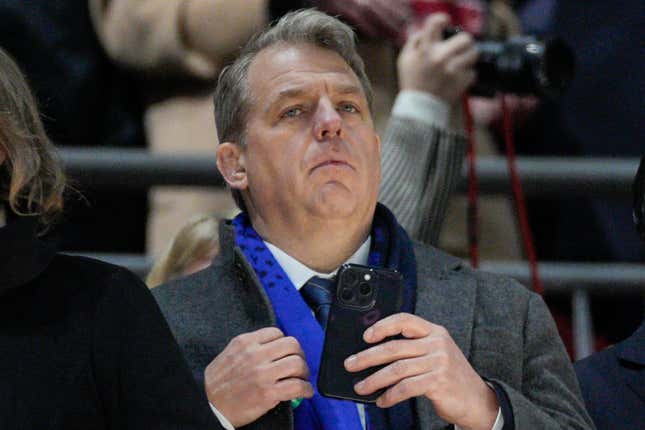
x: 254, y: 373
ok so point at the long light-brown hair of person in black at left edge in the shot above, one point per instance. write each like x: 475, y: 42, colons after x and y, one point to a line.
x: 31, y: 176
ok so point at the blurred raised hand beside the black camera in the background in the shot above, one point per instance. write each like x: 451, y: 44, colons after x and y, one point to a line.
x: 443, y: 68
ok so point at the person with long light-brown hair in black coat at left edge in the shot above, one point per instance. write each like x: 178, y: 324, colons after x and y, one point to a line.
x: 83, y: 344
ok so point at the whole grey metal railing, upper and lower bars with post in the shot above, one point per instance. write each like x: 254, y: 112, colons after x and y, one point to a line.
x: 592, y: 177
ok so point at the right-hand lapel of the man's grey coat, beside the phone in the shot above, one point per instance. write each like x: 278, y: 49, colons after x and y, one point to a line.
x: 446, y: 298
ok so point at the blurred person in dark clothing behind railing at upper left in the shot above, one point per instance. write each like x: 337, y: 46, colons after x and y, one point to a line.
x: 86, y: 102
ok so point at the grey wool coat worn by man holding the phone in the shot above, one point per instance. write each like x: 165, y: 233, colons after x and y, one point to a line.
x: 505, y: 331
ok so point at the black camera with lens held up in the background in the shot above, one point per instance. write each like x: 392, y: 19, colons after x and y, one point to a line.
x: 522, y: 65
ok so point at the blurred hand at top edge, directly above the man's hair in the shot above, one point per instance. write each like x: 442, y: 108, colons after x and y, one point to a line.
x: 374, y: 18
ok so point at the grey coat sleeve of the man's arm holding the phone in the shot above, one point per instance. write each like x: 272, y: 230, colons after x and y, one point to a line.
x: 550, y: 397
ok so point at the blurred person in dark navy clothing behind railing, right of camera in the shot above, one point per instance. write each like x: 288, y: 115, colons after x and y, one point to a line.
x: 601, y: 115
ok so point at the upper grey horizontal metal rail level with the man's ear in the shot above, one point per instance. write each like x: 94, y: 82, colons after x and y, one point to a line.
x: 132, y: 168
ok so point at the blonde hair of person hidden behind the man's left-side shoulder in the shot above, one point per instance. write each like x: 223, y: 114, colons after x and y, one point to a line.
x: 196, y: 240
